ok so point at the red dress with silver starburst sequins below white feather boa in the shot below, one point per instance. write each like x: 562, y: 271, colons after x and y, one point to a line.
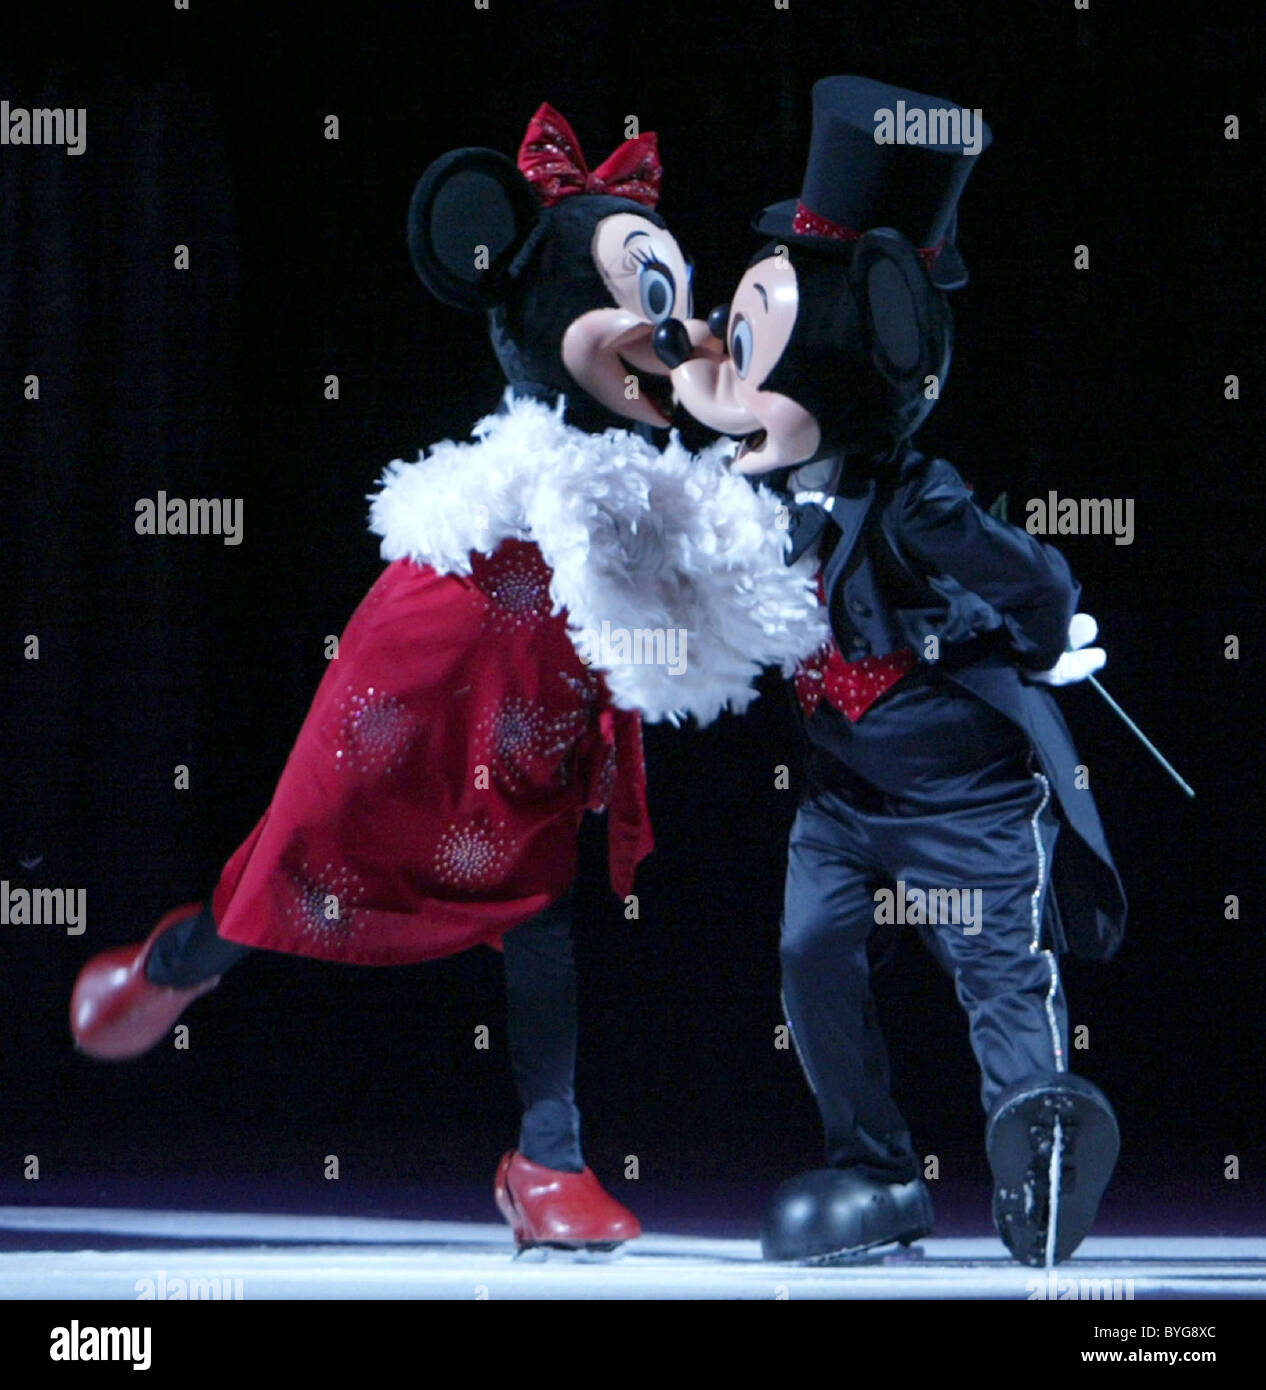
x: 434, y: 796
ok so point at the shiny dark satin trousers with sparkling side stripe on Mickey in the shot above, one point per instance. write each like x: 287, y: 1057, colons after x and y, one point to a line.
x: 997, y: 839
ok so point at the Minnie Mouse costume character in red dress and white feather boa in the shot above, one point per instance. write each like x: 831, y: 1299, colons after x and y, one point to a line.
x: 434, y: 796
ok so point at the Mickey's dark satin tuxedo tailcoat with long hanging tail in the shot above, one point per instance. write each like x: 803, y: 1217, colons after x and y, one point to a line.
x: 915, y: 559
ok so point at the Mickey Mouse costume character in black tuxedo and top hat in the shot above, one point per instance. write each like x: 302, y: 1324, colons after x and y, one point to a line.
x: 935, y: 762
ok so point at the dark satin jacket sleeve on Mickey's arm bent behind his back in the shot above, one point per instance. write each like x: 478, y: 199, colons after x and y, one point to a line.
x: 1029, y: 584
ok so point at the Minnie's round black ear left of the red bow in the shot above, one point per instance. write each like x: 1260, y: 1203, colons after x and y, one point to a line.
x: 470, y: 215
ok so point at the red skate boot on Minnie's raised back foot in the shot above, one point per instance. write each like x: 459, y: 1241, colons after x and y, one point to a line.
x: 116, y: 1011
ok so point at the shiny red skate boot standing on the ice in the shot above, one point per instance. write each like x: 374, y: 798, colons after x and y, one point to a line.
x: 545, y: 1207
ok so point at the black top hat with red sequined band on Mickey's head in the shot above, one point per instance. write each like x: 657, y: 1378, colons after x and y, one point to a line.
x: 883, y: 156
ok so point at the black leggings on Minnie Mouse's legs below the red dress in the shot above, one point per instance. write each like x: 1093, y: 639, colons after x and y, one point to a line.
x: 541, y: 1018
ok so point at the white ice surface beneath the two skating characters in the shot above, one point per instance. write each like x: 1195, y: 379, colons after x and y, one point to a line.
x: 323, y: 1257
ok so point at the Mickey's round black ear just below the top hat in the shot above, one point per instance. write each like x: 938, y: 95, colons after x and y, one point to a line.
x: 903, y: 308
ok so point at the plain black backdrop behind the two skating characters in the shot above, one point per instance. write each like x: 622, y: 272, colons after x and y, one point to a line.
x: 206, y: 129
